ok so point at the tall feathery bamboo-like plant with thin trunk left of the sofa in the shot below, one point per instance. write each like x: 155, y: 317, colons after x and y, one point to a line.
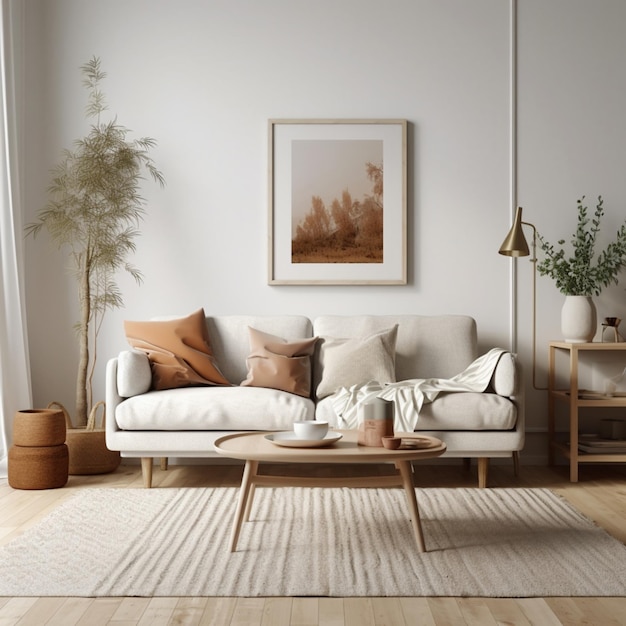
x: 93, y: 213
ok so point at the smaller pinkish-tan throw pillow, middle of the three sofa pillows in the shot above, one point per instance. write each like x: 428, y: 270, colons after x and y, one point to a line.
x: 280, y: 363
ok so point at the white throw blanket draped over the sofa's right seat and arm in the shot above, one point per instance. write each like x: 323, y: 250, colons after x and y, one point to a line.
x: 409, y: 396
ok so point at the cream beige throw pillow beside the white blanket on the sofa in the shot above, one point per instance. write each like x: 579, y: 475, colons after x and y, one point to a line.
x: 347, y: 362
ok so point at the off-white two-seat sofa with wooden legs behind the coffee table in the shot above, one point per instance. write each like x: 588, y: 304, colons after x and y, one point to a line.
x: 185, y: 422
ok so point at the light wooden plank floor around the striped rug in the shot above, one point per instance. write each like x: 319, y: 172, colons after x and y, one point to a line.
x: 600, y: 494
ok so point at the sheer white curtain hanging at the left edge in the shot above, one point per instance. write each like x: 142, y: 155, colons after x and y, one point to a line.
x: 15, y: 390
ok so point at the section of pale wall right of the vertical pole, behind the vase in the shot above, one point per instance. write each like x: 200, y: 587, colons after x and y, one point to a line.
x: 572, y: 143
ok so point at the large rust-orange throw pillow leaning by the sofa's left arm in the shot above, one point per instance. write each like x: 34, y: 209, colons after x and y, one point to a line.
x: 179, y: 351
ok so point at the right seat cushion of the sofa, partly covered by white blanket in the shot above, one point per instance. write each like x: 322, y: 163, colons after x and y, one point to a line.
x: 449, y: 411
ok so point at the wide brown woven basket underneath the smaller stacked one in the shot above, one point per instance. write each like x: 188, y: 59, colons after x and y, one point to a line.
x: 45, y: 467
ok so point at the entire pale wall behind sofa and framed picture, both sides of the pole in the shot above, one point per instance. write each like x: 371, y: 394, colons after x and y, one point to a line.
x: 203, y: 78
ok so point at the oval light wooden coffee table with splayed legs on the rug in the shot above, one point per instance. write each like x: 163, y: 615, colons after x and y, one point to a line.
x: 256, y: 448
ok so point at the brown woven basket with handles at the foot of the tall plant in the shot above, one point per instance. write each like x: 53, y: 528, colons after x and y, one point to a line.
x: 87, y: 446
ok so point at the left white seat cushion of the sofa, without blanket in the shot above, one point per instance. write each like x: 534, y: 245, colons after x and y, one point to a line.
x: 213, y: 408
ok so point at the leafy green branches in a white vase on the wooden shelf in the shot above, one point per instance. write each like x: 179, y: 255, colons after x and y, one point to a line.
x: 583, y: 273
